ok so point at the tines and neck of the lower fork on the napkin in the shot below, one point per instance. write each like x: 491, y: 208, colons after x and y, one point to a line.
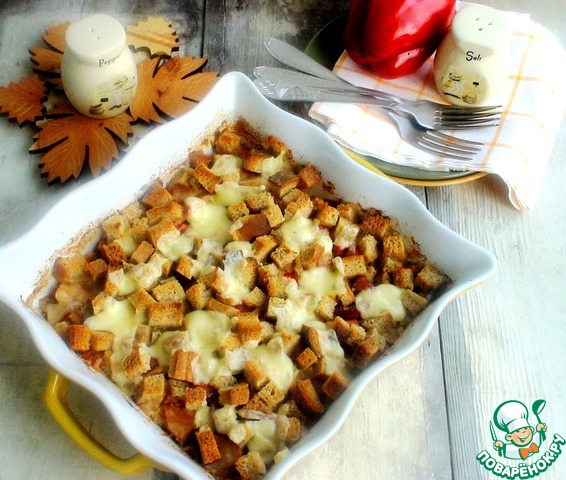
x: 433, y: 141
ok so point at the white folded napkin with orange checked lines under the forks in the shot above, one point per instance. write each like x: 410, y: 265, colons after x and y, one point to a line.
x: 534, y: 100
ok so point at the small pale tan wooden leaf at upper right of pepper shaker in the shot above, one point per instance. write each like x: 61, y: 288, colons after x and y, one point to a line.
x: 153, y: 34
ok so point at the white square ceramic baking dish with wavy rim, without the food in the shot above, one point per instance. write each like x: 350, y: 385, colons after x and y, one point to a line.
x: 234, y: 96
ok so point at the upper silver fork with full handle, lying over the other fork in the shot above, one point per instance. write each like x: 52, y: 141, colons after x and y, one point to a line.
x: 288, y: 85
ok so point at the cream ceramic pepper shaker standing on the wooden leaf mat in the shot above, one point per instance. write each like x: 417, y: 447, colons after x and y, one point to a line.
x: 98, y: 70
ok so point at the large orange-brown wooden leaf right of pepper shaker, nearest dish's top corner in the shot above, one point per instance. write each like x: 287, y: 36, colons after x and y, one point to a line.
x: 172, y: 88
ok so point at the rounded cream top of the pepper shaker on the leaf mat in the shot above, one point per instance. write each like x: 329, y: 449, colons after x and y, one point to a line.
x: 96, y: 37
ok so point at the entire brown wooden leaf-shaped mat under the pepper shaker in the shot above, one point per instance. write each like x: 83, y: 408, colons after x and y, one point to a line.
x: 168, y: 86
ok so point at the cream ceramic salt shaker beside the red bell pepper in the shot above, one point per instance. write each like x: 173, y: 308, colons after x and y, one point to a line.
x: 472, y: 63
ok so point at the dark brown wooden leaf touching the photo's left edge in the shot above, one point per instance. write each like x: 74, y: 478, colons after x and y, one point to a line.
x: 23, y: 101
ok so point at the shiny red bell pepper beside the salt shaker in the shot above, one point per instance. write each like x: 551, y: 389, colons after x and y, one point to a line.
x: 393, y: 38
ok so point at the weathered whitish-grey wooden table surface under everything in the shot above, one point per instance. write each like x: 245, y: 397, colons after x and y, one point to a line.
x: 427, y: 416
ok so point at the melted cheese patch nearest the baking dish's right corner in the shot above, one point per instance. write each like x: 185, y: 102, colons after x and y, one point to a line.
x: 379, y: 300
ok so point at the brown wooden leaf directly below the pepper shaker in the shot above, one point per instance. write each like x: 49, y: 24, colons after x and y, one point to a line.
x: 70, y: 139
